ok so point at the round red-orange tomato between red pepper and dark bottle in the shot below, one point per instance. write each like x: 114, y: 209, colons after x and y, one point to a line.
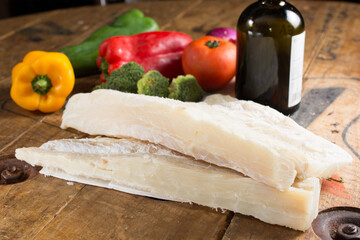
x: 211, y: 60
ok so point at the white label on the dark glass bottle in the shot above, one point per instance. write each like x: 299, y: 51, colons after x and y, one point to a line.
x: 296, y: 68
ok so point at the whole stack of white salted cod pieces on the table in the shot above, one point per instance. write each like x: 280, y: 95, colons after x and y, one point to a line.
x: 222, y: 153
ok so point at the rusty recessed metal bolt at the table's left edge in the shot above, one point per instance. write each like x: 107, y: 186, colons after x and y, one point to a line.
x: 15, y: 171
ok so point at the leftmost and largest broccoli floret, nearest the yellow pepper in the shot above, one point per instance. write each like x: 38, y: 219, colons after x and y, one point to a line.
x: 124, y: 79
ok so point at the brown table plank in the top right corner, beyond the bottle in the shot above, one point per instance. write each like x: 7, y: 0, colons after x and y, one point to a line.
x: 338, y: 54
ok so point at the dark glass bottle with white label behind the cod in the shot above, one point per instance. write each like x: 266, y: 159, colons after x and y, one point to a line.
x: 270, y: 53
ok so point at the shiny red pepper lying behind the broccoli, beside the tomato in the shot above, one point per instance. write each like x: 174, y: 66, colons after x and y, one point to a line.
x: 157, y: 50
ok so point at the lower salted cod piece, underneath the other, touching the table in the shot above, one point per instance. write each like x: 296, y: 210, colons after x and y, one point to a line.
x: 147, y: 169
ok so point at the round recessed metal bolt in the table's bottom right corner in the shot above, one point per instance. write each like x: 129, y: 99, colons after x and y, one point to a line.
x: 338, y: 223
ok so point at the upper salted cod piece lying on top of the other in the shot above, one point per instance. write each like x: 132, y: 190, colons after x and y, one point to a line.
x: 270, y: 148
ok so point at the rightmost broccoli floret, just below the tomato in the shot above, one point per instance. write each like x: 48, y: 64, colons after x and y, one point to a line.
x: 185, y: 88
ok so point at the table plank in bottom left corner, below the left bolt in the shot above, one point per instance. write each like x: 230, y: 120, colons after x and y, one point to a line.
x: 28, y: 206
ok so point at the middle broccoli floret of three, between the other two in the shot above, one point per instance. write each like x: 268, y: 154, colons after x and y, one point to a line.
x: 153, y: 84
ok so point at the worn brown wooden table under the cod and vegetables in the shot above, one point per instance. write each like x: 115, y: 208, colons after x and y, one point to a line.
x: 50, y: 208
